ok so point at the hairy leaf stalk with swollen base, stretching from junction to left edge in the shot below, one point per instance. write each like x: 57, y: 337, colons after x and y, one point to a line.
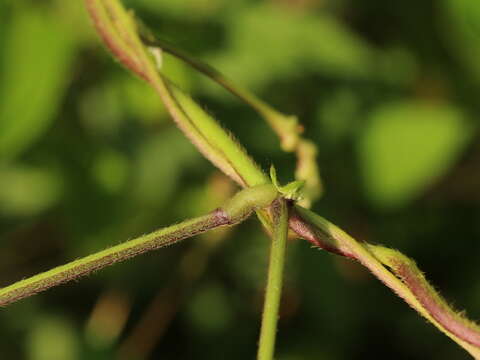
x: 233, y: 212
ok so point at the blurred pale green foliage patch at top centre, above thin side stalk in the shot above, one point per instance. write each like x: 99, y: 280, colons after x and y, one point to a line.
x: 320, y: 42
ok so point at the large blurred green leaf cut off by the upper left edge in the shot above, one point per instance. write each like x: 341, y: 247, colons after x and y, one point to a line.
x: 33, y: 77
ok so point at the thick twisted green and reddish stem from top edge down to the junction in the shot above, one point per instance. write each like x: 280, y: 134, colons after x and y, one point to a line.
x: 119, y: 32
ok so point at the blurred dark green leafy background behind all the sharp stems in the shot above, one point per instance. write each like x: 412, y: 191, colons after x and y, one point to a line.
x: 389, y: 91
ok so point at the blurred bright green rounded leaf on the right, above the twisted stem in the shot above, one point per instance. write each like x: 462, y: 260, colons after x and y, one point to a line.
x: 406, y: 146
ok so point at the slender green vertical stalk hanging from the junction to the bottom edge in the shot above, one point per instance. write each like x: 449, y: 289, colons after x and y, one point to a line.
x: 275, y: 278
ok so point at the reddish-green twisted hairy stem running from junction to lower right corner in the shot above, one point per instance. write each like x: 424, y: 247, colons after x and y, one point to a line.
x: 396, y: 271
